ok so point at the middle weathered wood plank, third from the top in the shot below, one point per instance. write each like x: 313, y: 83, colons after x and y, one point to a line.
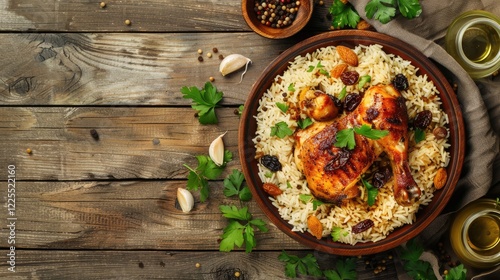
x: 134, y: 142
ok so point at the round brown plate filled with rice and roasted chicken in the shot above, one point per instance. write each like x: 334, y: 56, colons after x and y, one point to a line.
x: 277, y: 115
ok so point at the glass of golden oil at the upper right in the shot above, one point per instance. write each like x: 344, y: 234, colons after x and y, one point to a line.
x: 473, y: 39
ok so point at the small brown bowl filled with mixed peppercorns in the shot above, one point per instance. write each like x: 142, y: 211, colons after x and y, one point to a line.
x: 277, y: 19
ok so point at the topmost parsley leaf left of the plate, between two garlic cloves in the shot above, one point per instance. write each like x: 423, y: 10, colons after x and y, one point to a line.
x: 204, y: 101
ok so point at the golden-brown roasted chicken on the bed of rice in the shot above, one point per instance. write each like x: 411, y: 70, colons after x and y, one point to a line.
x: 332, y: 172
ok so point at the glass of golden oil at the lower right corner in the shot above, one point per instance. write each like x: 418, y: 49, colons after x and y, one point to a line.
x: 475, y: 234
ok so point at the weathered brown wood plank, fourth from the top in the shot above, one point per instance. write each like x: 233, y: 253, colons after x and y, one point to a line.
x: 125, y: 215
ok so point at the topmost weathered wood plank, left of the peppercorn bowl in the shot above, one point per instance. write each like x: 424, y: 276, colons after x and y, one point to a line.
x: 145, y: 16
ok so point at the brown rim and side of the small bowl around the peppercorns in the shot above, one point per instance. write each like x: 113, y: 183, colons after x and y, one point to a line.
x: 302, y: 18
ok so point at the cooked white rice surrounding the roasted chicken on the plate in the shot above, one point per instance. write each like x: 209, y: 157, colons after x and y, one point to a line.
x: 425, y: 158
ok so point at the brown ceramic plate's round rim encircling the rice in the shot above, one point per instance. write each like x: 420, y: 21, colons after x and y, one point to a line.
x: 352, y: 38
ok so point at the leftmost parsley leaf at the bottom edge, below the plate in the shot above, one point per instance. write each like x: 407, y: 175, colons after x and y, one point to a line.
x: 307, y: 265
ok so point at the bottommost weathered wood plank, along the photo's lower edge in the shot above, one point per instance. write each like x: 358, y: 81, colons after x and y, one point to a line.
x: 176, y: 265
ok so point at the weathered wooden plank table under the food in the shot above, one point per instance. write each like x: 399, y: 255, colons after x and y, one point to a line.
x: 105, y: 208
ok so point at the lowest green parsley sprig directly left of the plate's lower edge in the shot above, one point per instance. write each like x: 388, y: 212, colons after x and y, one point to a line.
x: 240, y: 228
